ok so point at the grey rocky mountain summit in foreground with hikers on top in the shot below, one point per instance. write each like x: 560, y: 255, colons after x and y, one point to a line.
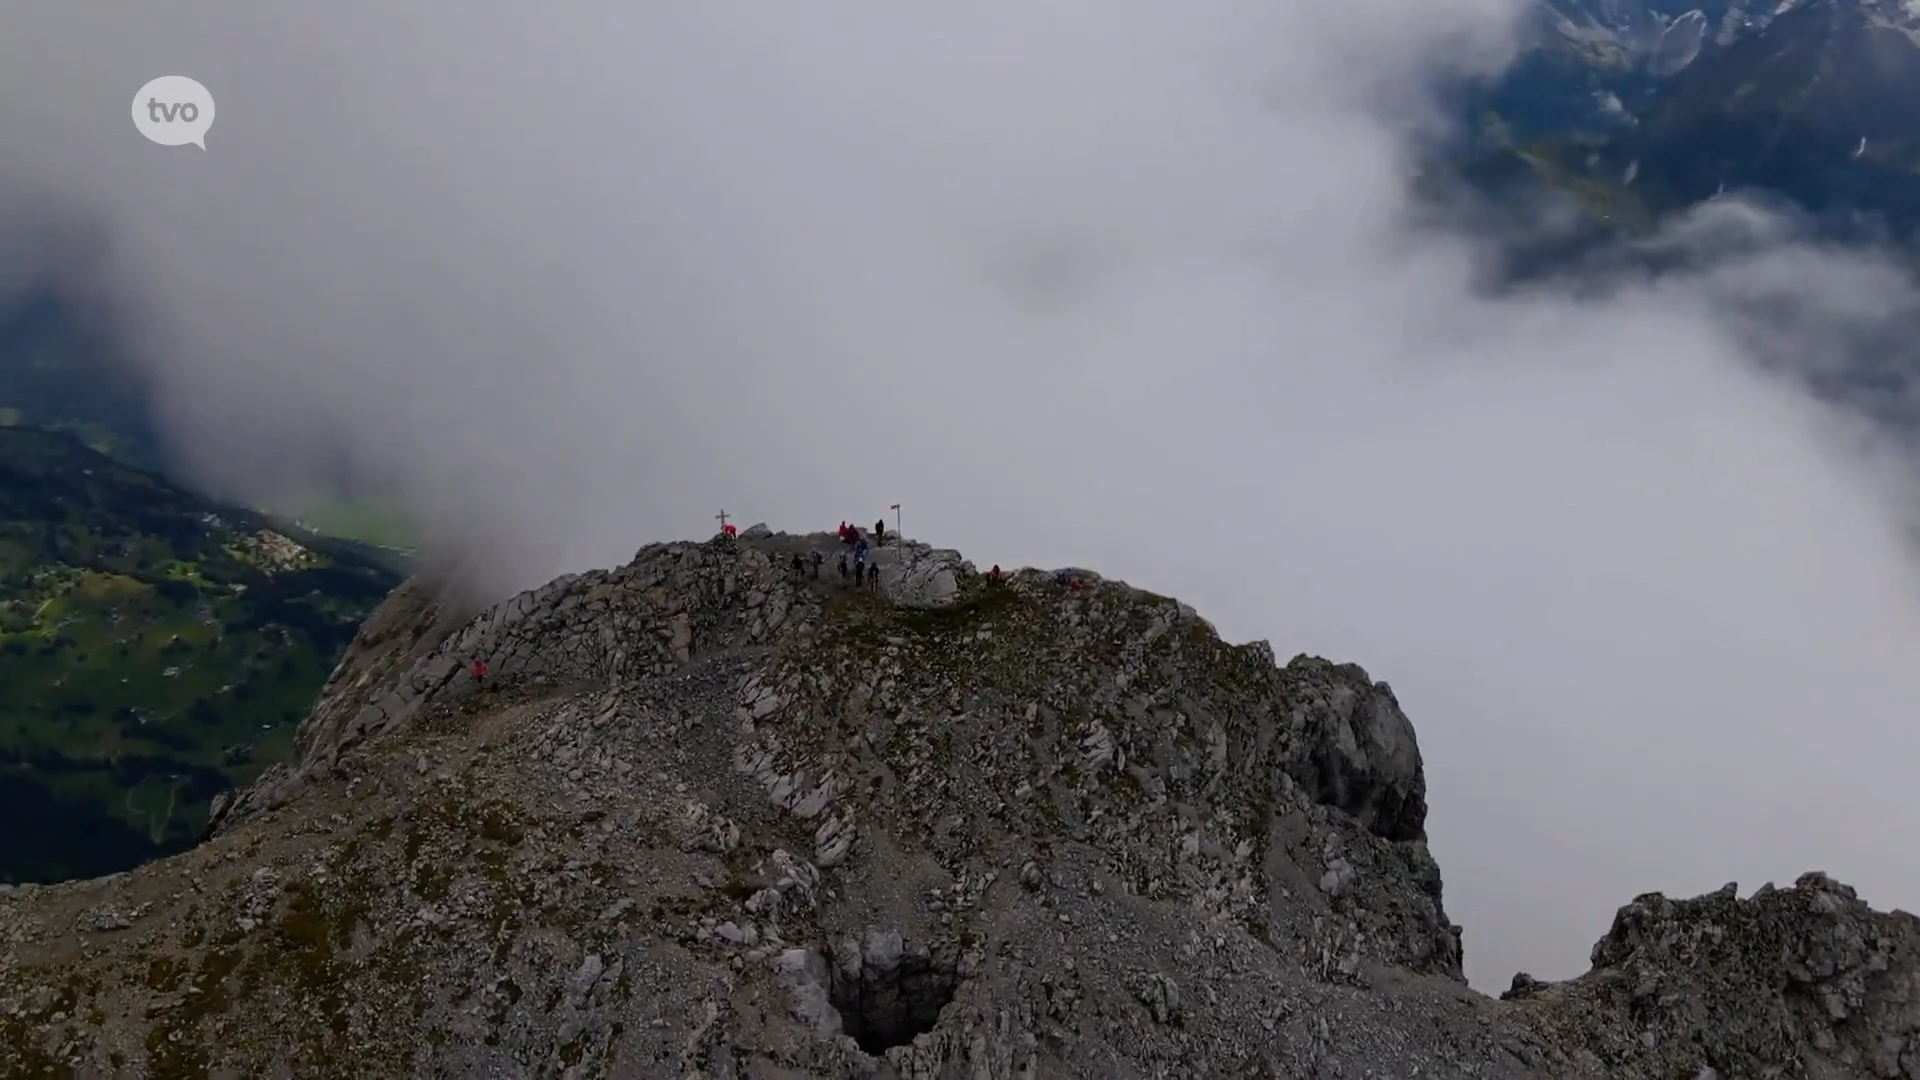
x: 715, y: 820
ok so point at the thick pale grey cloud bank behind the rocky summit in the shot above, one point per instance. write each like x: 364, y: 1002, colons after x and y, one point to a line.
x: 1126, y: 285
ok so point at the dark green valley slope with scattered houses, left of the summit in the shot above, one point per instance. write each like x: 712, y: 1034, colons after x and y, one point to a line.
x: 156, y: 649
